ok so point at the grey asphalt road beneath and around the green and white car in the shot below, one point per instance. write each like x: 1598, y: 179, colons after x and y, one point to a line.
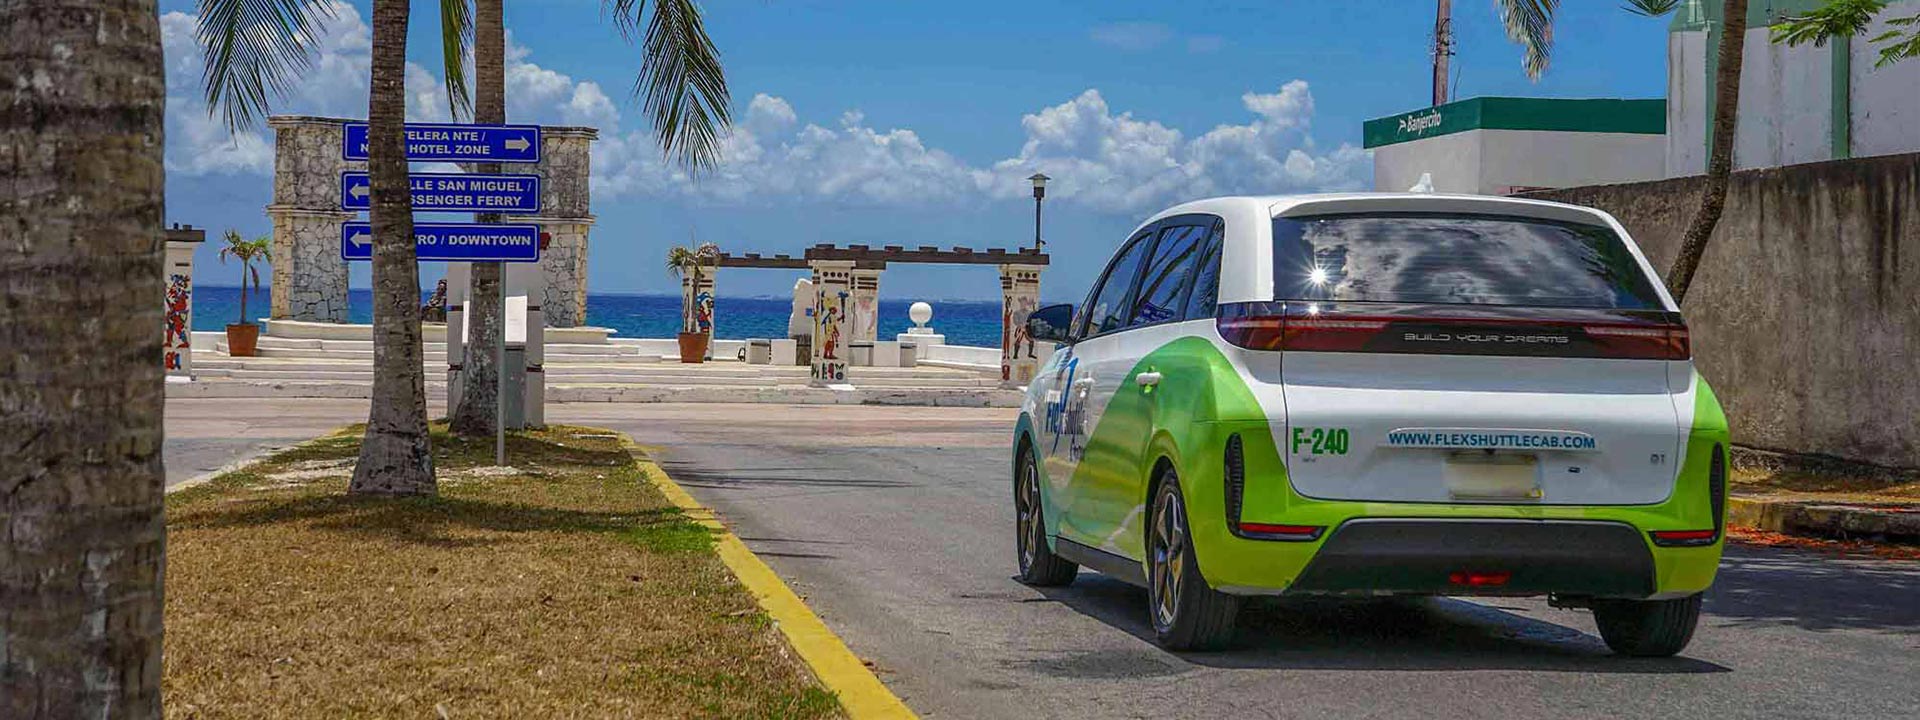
x: 898, y: 529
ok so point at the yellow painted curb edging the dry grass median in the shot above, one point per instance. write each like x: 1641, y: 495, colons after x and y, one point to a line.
x: 861, y: 694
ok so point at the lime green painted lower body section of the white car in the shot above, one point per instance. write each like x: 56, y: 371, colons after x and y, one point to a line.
x: 1188, y: 420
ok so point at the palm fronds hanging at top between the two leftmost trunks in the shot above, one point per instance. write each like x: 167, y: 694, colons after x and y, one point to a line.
x: 254, y: 53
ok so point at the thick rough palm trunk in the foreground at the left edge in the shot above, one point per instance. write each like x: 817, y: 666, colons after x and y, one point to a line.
x: 82, y: 395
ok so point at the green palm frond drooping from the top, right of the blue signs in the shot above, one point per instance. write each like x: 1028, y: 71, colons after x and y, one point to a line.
x: 681, y: 82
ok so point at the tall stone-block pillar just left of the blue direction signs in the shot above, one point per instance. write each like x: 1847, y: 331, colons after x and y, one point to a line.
x: 310, y: 281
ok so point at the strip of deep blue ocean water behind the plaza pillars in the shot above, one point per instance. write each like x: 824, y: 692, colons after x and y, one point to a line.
x: 963, y: 322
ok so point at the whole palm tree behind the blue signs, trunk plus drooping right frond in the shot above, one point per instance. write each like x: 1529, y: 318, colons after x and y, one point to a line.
x: 681, y: 85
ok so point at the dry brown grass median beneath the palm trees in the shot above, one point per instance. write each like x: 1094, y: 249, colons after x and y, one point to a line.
x: 569, y: 590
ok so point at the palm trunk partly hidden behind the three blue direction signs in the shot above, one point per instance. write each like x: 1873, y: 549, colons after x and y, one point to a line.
x: 479, y: 408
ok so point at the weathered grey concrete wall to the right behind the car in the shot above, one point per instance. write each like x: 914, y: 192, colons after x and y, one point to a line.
x: 1804, y: 314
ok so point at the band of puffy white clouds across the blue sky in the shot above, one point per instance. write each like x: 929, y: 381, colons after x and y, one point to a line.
x: 1101, y: 160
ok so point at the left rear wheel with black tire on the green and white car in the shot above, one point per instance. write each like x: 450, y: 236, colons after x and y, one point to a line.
x: 1186, y: 612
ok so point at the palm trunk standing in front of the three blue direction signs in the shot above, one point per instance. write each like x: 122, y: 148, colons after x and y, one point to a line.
x: 396, y: 456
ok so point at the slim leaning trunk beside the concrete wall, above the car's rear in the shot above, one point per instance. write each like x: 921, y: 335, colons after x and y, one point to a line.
x: 1721, y: 158
